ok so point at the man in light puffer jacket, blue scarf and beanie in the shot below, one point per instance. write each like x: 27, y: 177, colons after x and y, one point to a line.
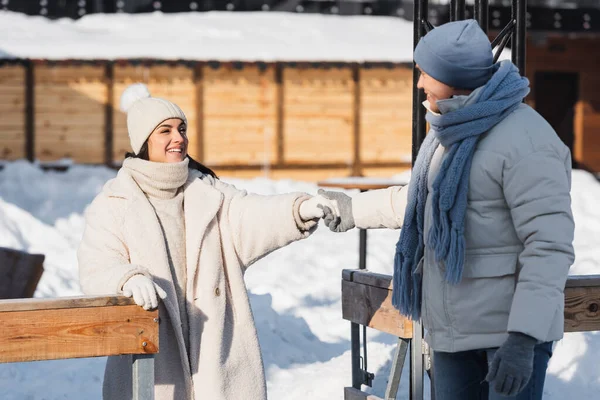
x: 487, y: 229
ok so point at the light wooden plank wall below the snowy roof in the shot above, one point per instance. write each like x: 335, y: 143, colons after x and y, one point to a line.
x: 328, y: 119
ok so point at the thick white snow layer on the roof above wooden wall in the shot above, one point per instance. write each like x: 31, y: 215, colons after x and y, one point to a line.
x: 255, y: 36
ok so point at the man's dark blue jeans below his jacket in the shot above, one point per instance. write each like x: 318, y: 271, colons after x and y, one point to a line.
x: 461, y: 376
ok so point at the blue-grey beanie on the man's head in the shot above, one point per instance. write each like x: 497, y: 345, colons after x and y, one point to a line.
x: 457, y: 53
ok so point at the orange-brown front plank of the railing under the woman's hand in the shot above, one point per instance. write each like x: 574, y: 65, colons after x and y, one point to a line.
x: 51, y: 334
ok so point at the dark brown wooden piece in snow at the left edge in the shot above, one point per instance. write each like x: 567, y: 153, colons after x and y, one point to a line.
x: 20, y: 273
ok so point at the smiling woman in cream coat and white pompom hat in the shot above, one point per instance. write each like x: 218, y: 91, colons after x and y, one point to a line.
x: 167, y: 227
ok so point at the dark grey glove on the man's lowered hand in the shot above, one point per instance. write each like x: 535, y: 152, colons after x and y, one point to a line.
x: 512, y: 364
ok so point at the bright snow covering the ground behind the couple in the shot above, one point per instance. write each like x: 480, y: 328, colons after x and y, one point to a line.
x: 295, y: 292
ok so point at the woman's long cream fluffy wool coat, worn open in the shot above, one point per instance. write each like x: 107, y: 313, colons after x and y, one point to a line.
x: 226, y: 231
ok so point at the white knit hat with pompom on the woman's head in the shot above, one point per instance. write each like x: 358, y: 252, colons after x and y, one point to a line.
x: 145, y: 113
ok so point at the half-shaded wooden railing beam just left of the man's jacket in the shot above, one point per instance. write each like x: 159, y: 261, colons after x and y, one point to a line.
x: 372, y: 306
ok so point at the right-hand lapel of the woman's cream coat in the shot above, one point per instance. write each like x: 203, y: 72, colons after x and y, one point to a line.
x: 201, y: 204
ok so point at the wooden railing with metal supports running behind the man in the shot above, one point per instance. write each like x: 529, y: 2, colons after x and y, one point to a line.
x: 367, y: 300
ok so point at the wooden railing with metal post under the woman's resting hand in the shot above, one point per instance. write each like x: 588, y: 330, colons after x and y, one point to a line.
x: 77, y: 327
